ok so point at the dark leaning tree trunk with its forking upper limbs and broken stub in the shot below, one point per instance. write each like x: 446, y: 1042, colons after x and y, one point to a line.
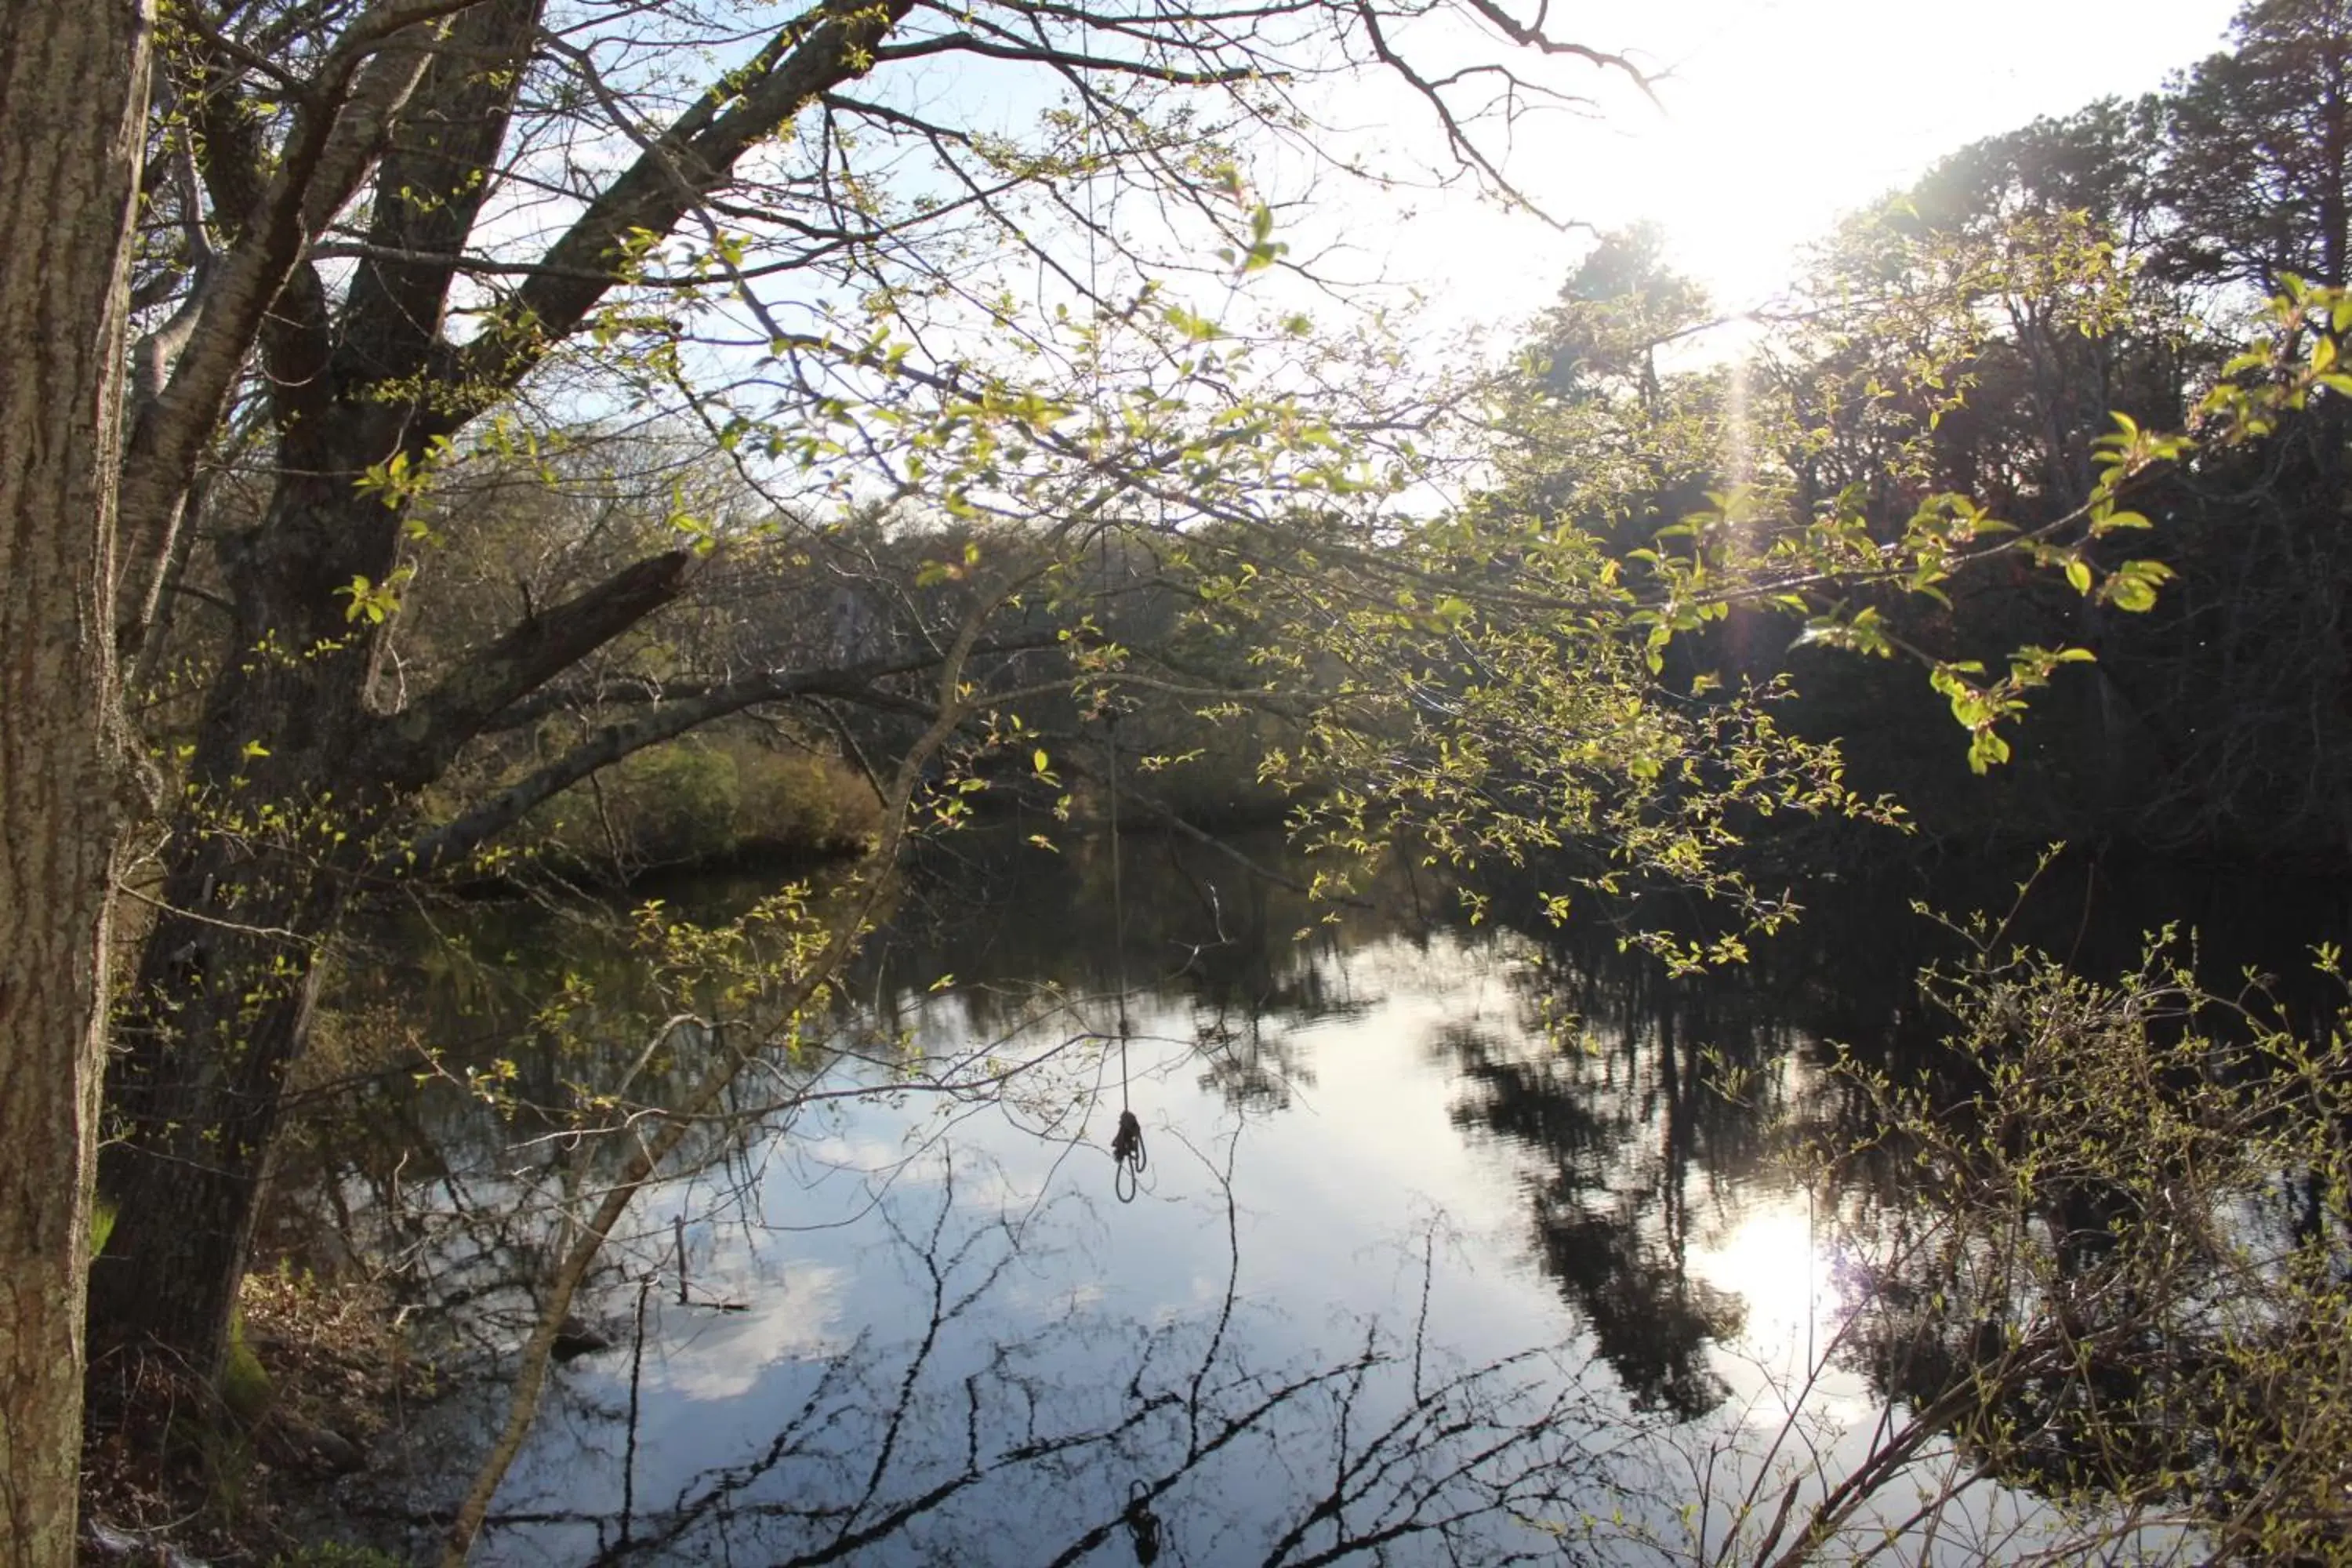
x: 295, y: 770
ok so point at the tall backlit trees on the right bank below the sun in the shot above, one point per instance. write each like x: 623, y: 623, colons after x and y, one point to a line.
x: 1977, y: 335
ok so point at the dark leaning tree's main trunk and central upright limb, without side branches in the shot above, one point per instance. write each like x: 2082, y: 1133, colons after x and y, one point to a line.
x: 293, y: 770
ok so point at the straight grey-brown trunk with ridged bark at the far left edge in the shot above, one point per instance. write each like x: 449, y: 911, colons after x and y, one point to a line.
x: 72, y: 135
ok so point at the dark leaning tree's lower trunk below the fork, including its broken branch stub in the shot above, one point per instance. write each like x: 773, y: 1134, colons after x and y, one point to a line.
x: 290, y: 789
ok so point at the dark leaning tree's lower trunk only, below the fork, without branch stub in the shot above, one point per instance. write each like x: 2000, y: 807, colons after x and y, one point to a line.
x: 258, y: 871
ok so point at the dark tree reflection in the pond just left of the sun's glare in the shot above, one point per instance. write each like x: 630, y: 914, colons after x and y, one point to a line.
x: 1638, y: 1148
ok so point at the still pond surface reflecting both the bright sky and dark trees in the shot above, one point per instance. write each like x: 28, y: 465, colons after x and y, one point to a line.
x: 1448, y: 1249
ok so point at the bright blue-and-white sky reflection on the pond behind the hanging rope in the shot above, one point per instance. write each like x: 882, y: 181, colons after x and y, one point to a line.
x: 958, y: 1348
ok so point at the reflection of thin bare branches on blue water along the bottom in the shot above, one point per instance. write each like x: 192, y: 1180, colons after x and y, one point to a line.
x: 994, y: 1435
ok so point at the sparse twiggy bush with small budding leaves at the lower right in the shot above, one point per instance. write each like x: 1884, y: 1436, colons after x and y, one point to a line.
x: 2118, y: 1266
